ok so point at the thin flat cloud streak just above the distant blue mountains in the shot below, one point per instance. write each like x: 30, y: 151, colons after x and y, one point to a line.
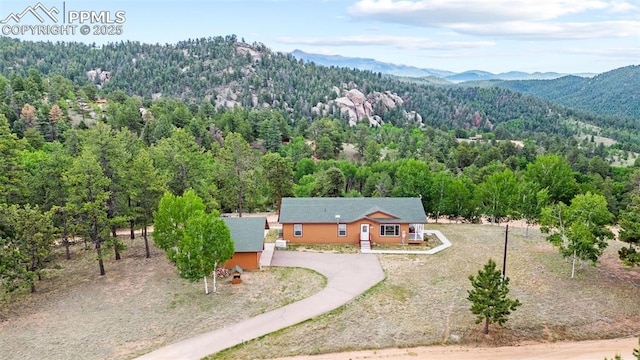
x: 399, y: 42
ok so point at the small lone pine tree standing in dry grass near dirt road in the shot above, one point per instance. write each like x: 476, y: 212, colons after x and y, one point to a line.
x: 489, y: 296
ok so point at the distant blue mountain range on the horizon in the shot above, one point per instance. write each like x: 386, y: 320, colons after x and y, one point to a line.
x: 412, y: 71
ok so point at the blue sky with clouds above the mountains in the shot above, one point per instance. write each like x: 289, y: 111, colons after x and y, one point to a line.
x: 567, y: 36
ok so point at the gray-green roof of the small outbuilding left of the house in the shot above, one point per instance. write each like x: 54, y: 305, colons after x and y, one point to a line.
x: 247, y: 232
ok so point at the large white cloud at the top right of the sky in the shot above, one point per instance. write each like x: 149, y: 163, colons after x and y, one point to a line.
x: 522, y: 19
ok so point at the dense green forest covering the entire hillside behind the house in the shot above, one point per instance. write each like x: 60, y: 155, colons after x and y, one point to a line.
x: 82, y: 156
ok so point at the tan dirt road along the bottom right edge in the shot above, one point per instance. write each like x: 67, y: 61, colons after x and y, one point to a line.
x: 584, y: 350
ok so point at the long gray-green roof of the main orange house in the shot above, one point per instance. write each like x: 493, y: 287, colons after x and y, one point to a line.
x: 325, y: 210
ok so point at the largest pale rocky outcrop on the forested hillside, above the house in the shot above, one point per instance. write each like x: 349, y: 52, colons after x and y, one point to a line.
x: 356, y: 106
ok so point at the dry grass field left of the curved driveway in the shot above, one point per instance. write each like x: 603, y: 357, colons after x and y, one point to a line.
x: 140, y: 305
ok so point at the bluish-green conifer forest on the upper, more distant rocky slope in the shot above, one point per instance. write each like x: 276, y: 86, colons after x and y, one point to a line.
x: 225, y: 71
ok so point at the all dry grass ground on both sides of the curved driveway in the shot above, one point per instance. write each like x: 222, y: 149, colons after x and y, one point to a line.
x: 141, y: 304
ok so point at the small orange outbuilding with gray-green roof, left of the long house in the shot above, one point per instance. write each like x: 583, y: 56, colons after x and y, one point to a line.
x: 248, y: 239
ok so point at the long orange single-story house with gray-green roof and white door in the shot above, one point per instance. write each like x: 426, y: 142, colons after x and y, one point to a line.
x: 352, y: 220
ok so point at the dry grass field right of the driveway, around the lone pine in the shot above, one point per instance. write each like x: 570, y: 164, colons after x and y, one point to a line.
x: 423, y: 300
